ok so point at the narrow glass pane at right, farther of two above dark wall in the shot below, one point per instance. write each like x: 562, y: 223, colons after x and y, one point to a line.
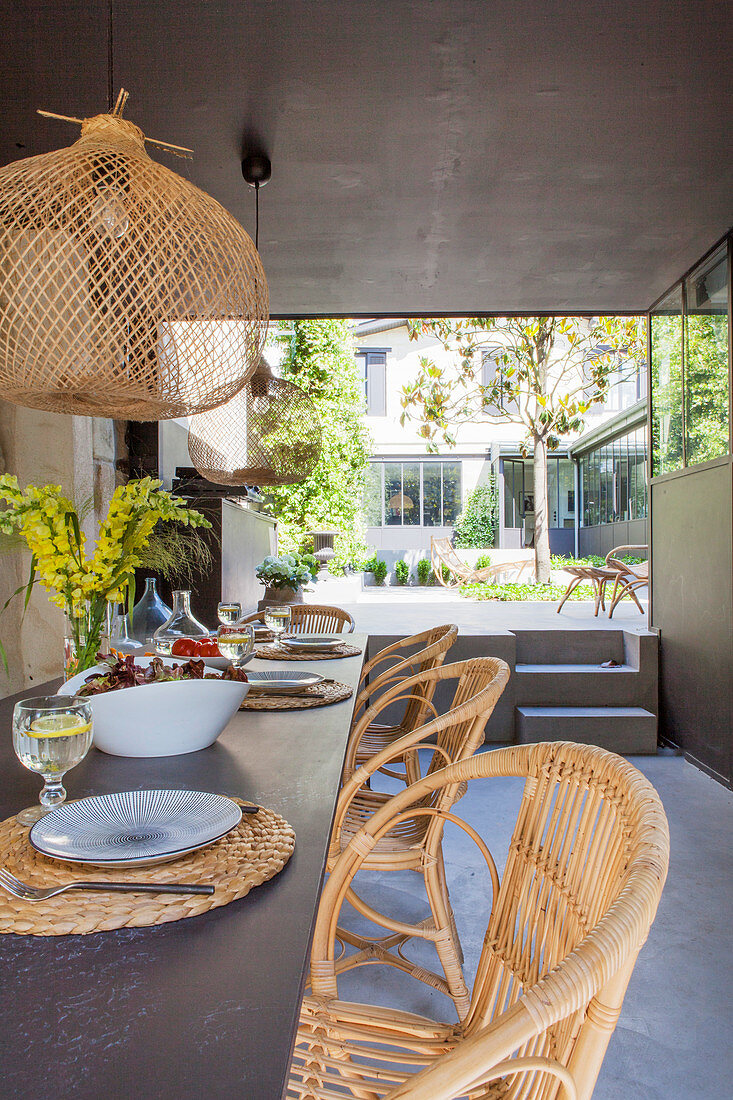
x: 668, y: 384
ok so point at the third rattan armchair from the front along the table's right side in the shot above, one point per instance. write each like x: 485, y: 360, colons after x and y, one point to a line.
x: 412, y: 656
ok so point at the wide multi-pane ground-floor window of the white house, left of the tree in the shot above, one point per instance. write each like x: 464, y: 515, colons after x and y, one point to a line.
x: 408, y: 494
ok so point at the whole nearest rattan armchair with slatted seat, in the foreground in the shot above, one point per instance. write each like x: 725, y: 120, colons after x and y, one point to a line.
x: 586, y: 870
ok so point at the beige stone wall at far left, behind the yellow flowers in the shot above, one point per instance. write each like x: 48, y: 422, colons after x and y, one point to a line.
x: 81, y: 455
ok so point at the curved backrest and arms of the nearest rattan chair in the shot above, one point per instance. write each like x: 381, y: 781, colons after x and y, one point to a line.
x: 586, y: 868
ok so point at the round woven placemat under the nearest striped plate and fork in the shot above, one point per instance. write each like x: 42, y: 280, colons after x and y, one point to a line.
x: 255, y: 852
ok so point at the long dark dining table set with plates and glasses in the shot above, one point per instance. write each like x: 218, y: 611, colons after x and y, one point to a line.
x: 201, y: 1008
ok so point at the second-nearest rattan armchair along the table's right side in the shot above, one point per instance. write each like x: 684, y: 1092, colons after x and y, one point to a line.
x: 418, y: 846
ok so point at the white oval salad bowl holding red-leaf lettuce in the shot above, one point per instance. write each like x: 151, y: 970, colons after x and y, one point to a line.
x: 160, y: 720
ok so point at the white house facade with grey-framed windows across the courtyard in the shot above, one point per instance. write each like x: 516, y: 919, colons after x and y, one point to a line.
x: 412, y: 496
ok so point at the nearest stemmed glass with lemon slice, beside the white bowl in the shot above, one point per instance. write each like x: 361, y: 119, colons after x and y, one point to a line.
x: 51, y: 736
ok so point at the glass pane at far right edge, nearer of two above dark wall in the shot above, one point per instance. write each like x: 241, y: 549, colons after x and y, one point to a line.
x: 706, y: 360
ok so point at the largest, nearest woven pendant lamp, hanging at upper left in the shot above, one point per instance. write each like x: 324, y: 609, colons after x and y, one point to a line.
x: 125, y: 291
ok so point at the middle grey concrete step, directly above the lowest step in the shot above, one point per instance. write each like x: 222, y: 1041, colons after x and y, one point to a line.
x: 577, y: 686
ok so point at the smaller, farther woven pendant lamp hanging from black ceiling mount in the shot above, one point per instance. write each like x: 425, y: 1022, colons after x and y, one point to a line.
x: 267, y: 435
